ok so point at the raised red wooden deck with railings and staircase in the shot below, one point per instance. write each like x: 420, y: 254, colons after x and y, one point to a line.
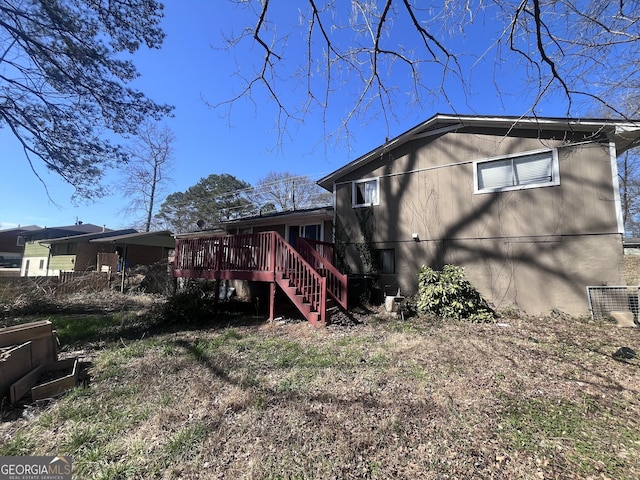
x: 306, y: 275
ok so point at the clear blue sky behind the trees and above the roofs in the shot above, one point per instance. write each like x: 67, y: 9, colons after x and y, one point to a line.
x: 192, y: 67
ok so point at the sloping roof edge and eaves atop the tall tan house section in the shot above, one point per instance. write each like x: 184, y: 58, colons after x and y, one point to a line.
x: 624, y: 133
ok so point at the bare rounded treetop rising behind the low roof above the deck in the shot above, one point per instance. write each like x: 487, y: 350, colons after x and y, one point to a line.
x: 286, y: 191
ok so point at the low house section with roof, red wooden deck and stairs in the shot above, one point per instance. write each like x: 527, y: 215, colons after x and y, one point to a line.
x: 282, y: 249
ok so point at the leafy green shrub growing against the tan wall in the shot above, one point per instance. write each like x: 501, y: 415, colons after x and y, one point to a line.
x: 448, y: 294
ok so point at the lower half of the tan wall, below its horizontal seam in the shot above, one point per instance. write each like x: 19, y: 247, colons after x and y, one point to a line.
x: 535, y: 276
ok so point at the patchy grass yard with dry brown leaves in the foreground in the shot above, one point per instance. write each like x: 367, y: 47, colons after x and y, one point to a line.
x: 239, y: 398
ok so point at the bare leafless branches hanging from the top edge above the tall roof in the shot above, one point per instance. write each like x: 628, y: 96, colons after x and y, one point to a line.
x: 578, y: 52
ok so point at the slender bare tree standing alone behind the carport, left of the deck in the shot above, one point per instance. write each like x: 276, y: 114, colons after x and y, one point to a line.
x: 151, y: 157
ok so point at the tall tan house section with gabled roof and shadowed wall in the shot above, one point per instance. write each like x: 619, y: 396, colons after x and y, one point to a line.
x: 529, y: 206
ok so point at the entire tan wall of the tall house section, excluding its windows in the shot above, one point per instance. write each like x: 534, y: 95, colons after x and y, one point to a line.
x: 537, y: 248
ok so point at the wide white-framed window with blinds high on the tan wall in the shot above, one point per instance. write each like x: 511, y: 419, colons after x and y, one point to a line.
x: 529, y: 170
